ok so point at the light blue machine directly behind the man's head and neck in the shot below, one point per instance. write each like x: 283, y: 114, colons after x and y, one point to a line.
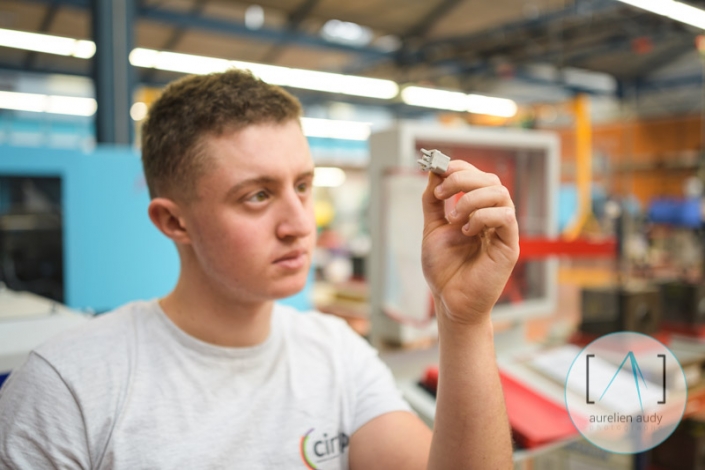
x: 112, y: 254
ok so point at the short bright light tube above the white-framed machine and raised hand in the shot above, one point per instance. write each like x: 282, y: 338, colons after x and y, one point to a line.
x: 458, y: 101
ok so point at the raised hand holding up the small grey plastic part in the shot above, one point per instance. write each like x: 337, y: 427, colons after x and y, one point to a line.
x: 468, y: 255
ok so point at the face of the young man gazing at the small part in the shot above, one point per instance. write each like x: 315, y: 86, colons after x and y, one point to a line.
x: 252, y: 228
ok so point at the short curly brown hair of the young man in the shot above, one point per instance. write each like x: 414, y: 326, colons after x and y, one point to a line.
x: 198, y: 106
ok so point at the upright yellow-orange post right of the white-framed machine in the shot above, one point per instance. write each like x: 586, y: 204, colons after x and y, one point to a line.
x: 583, y: 167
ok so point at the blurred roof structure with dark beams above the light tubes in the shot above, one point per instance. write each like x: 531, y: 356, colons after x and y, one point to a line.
x: 466, y: 45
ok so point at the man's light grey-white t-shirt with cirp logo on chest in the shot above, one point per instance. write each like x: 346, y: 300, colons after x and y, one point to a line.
x: 130, y: 390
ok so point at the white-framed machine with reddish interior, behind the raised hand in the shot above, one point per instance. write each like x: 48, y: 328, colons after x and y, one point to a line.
x: 526, y: 161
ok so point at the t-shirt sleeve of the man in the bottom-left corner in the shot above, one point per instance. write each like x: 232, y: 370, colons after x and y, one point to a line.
x: 41, y: 425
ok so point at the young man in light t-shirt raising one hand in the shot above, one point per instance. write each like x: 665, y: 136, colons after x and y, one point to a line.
x: 215, y: 375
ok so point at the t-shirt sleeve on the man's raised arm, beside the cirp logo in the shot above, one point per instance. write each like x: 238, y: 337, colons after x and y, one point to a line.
x: 375, y: 391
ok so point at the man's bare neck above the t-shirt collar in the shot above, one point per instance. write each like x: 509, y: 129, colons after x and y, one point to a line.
x: 210, y: 316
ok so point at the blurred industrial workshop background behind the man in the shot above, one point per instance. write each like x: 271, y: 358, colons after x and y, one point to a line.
x: 590, y: 111
